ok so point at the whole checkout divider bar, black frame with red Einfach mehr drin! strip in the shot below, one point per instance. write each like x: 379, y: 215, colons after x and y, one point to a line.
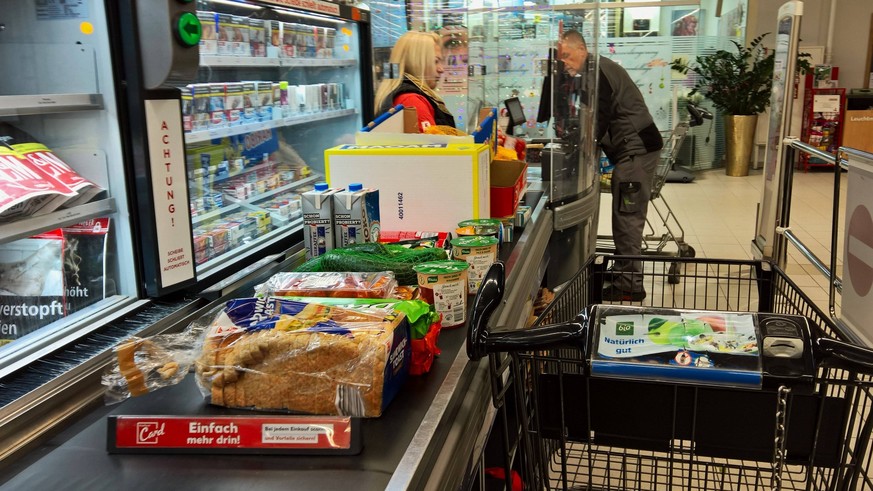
x: 234, y: 434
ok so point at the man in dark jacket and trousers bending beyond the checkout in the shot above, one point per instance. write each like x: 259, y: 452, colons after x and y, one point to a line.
x: 628, y: 136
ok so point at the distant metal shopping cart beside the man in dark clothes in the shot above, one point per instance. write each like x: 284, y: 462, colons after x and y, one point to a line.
x: 671, y: 231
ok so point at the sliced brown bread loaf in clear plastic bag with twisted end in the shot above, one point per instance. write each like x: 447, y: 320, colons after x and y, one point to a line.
x: 274, y: 354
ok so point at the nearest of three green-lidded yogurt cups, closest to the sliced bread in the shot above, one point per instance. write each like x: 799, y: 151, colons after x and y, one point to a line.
x: 444, y: 285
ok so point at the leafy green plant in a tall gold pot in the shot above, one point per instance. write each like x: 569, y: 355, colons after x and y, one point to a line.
x: 739, y: 85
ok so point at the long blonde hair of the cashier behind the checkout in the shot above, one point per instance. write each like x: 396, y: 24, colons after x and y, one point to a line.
x: 413, y: 53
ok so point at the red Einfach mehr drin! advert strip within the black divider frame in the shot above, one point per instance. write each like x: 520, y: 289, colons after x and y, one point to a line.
x: 304, y: 432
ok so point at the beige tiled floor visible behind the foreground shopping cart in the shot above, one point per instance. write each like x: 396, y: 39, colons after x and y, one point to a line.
x: 718, y: 215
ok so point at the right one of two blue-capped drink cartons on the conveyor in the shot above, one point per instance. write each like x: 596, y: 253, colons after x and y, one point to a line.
x: 356, y: 215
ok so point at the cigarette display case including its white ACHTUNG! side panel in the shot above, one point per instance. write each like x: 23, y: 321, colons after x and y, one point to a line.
x: 273, y: 84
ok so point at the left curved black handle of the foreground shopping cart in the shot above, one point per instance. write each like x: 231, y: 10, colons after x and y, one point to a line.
x: 481, y: 341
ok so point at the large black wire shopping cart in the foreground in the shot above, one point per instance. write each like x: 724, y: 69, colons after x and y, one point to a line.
x: 563, y: 427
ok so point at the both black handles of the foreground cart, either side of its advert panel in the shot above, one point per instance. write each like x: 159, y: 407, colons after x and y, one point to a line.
x: 482, y: 341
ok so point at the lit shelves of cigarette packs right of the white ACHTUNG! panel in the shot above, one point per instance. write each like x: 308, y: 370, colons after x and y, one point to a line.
x: 275, y: 88
